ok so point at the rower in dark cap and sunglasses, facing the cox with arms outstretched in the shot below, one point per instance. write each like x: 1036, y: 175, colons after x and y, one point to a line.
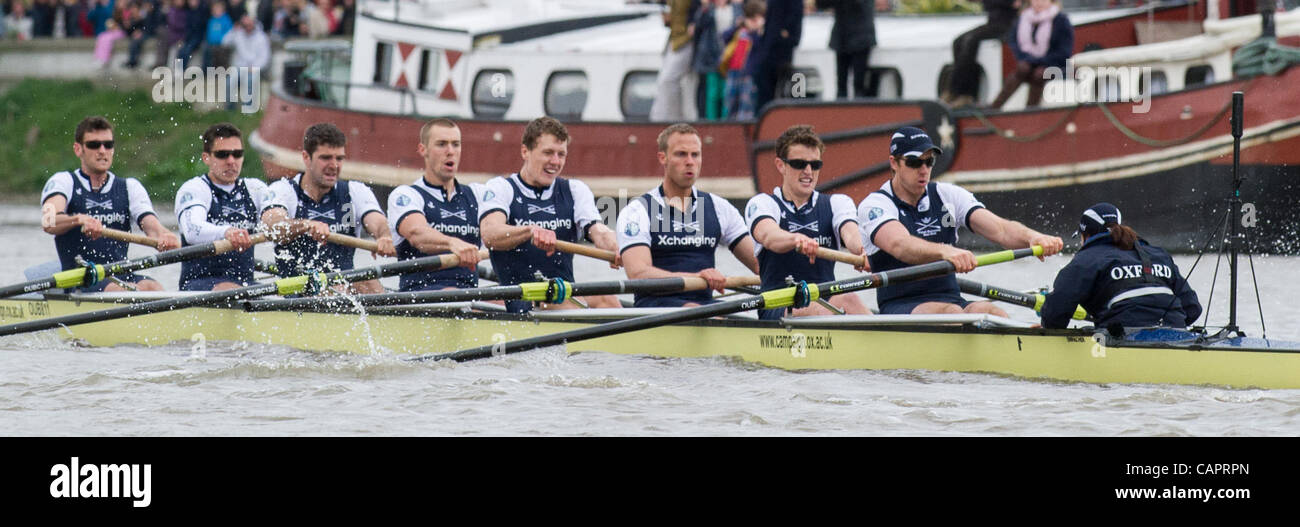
x: 913, y: 221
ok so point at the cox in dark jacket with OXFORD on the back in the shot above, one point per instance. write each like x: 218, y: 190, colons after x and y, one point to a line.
x: 1120, y: 279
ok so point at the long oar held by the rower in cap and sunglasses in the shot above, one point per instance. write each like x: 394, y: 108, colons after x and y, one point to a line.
x: 775, y: 299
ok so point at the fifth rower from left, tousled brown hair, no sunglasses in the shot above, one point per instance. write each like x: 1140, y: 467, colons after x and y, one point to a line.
x: 523, y: 215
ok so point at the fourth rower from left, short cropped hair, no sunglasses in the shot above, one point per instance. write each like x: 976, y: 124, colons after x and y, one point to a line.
x: 437, y: 214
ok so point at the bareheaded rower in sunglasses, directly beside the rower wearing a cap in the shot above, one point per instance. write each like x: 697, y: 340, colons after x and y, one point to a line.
x: 795, y: 221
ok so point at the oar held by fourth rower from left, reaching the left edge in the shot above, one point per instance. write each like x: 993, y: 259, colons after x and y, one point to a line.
x: 292, y: 286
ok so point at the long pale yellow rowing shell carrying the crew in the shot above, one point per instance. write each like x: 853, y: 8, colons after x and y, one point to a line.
x: 939, y: 343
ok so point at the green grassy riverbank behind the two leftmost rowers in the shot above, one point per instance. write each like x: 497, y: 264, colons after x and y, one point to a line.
x: 157, y: 142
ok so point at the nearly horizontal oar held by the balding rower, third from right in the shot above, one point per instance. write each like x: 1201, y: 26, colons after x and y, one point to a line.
x: 552, y: 292
